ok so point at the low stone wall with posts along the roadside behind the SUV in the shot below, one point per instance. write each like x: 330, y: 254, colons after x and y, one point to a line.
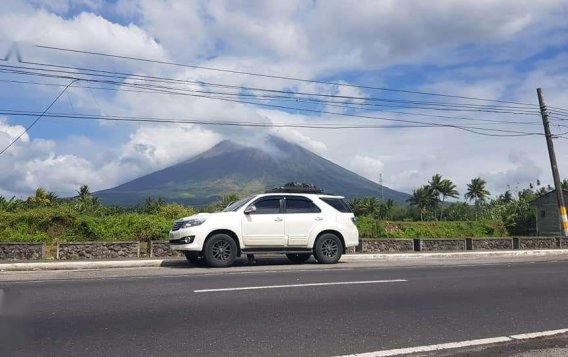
x: 161, y: 249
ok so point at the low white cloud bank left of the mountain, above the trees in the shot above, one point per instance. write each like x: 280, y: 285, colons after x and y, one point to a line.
x: 30, y: 164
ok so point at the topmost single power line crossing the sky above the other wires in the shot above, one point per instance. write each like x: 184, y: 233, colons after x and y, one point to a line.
x: 275, y: 76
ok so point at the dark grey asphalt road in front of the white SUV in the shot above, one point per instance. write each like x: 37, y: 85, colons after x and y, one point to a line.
x: 167, y: 313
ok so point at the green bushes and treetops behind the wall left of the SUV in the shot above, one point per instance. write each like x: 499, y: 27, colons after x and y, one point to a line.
x: 84, y: 219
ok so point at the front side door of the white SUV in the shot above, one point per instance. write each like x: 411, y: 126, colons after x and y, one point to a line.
x: 265, y: 225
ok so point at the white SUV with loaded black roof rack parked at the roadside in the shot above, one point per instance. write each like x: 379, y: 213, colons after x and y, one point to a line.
x: 297, y: 225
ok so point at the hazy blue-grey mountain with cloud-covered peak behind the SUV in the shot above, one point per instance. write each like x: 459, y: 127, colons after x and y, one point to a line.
x: 232, y: 168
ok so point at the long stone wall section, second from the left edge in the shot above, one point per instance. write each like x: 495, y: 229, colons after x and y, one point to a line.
x: 98, y: 250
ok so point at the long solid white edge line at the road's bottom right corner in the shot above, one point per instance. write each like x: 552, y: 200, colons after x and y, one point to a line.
x: 461, y: 344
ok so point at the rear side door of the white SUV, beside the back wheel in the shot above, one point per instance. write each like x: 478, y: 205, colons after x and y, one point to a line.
x: 301, y: 216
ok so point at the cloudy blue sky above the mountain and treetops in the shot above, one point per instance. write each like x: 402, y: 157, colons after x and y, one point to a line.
x: 491, y: 49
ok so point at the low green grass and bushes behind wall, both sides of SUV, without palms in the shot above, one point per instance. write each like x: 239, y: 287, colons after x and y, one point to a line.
x: 67, y: 223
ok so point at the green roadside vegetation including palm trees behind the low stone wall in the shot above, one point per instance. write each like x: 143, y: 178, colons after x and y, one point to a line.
x: 433, y: 210
